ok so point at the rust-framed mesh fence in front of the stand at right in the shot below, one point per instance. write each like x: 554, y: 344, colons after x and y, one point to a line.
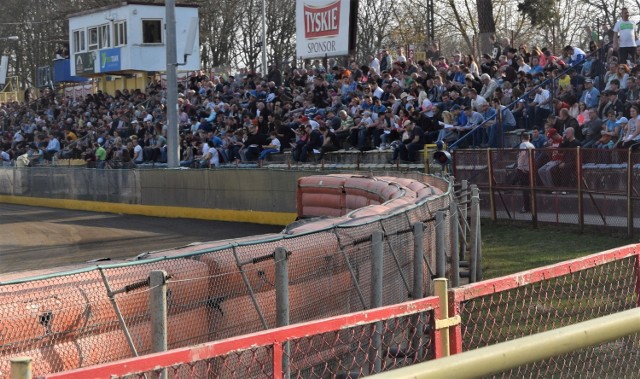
x: 585, y: 187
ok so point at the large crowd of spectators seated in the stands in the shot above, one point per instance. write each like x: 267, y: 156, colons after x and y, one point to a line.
x: 390, y: 102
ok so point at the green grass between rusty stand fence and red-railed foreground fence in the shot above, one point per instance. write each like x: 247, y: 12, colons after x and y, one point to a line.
x: 511, y: 248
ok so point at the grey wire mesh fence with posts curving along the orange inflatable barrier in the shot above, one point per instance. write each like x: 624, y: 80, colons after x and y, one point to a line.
x: 94, y: 314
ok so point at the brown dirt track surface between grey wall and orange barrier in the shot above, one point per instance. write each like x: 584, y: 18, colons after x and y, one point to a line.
x: 42, y: 238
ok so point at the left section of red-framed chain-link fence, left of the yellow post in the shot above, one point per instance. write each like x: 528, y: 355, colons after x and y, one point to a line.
x: 348, y: 346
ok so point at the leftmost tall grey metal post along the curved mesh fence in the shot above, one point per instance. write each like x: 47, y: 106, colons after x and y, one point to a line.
x: 158, y: 313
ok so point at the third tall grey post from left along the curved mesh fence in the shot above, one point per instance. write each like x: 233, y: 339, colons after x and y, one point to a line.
x: 377, y: 272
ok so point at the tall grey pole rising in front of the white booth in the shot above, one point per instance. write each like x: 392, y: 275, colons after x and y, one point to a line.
x: 173, y: 137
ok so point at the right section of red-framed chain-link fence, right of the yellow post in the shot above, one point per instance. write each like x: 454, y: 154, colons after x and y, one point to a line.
x: 549, y: 298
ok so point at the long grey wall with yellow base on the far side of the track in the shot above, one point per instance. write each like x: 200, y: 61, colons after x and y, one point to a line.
x: 259, y: 196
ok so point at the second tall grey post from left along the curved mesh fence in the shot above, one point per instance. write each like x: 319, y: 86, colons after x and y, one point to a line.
x: 282, y: 301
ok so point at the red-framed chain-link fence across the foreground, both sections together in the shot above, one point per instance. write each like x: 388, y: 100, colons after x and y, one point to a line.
x: 492, y: 311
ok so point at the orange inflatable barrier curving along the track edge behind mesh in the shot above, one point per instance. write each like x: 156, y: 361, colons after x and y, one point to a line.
x: 67, y: 318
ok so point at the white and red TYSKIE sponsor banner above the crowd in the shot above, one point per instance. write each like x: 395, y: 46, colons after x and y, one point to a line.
x: 322, y: 28
